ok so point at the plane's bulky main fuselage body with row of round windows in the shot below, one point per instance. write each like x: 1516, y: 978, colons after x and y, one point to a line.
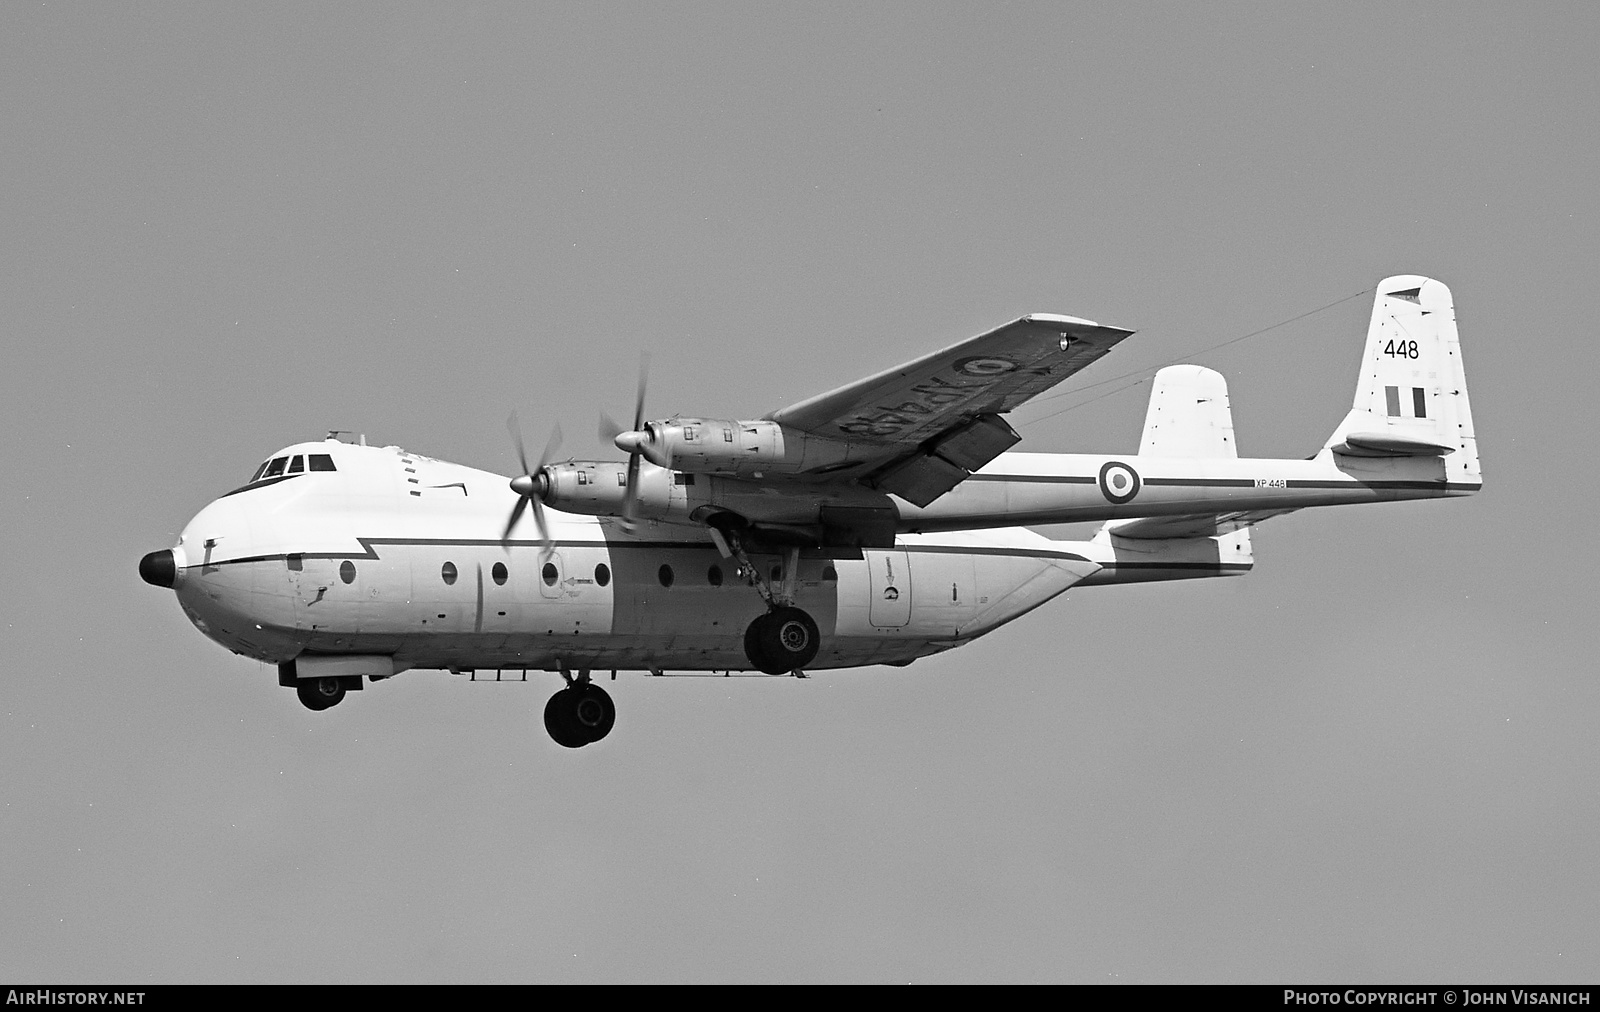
x: 356, y: 561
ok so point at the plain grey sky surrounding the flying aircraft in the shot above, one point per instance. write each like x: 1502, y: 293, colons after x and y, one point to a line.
x: 225, y: 230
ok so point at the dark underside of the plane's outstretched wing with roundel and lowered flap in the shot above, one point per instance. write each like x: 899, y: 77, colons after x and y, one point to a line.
x: 921, y: 428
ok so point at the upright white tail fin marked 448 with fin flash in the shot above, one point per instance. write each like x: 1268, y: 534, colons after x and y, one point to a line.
x: 1412, y: 396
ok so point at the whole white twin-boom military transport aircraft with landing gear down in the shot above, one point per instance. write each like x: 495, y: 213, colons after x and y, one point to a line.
x: 870, y: 526
